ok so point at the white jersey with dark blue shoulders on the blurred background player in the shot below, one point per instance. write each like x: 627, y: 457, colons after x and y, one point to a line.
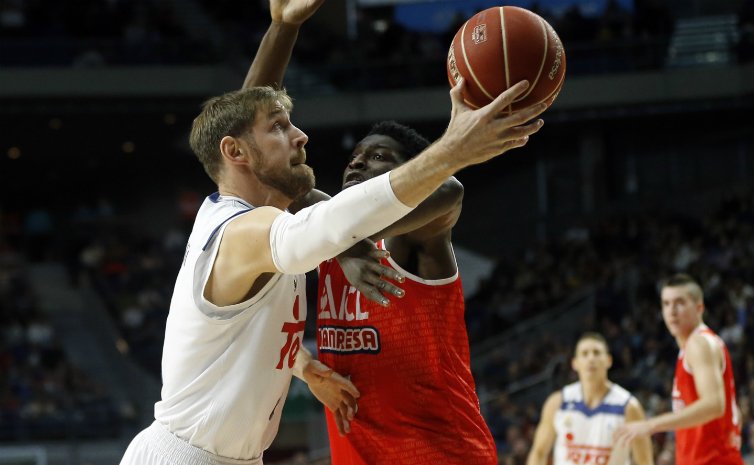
x: 585, y: 435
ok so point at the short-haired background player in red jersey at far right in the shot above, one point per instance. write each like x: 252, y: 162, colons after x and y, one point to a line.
x: 705, y: 417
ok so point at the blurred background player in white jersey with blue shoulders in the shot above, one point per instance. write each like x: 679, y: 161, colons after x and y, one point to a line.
x: 580, y: 420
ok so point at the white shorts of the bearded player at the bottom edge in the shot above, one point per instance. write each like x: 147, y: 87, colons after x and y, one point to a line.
x: 156, y: 445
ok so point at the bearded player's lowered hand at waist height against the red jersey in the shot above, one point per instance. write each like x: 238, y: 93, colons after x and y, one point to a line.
x: 335, y: 392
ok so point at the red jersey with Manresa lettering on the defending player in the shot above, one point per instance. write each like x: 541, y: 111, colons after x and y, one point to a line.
x: 410, y: 361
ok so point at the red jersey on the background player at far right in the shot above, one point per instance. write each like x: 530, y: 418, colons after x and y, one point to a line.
x: 717, y: 442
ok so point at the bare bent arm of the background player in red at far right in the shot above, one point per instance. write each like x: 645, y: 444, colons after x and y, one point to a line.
x: 705, y: 359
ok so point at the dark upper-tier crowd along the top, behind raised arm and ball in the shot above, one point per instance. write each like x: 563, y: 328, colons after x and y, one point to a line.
x: 336, y: 56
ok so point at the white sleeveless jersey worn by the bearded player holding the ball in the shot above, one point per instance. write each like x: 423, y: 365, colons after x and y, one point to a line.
x: 226, y: 370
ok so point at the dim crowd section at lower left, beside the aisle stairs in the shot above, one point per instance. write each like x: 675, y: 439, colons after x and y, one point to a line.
x: 42, y: 394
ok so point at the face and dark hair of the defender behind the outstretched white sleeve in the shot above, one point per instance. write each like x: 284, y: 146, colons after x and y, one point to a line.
x: 374, y: 155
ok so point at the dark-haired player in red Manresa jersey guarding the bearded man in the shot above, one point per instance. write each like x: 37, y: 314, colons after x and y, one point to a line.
x: 410, y: 360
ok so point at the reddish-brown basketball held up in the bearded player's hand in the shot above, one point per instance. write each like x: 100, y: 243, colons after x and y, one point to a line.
x: 500, y: 46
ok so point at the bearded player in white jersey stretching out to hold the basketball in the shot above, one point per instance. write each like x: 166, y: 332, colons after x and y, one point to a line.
x: 233, y: 337
